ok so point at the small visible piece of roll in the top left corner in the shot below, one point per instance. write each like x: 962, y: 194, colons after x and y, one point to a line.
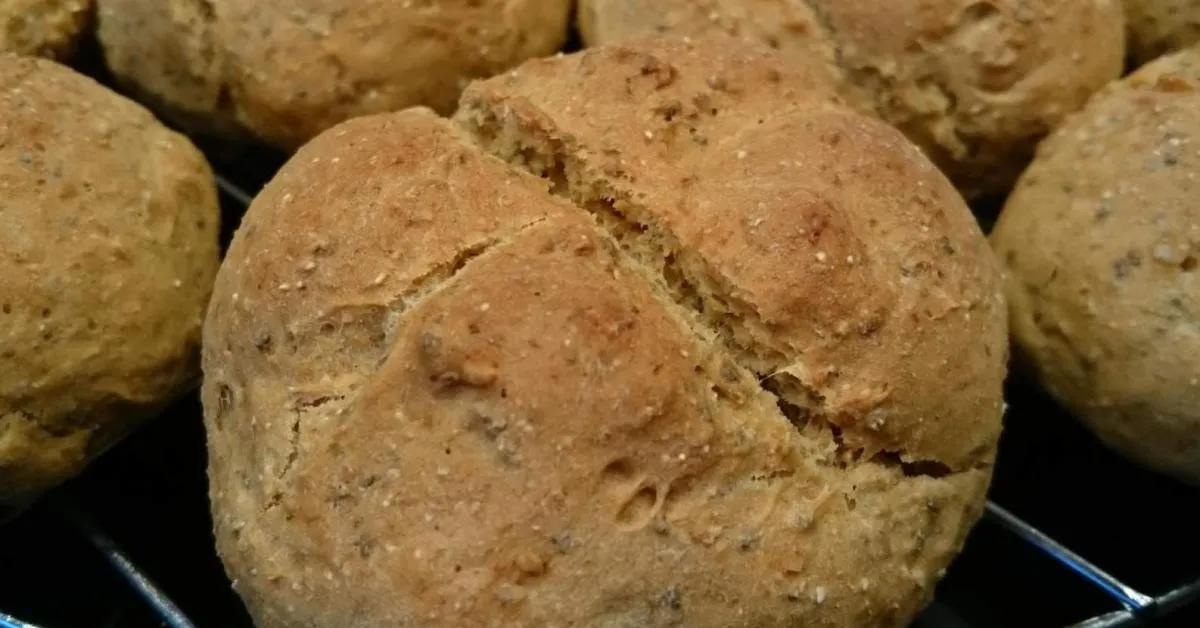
x: 44, y: 28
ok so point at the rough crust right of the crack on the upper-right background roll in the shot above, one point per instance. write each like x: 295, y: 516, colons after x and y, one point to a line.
x: 988, y: 81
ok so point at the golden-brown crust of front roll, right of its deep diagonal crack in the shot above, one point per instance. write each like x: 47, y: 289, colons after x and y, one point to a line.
x: 815, y: 266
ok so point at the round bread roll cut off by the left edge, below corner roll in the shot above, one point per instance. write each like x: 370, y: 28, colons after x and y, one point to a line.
x: 110, y: 249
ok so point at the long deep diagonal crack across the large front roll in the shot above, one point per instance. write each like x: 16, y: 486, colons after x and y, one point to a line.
x: 682, y: 280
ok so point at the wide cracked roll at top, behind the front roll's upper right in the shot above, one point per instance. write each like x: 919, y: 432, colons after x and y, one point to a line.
x: 974, y: 83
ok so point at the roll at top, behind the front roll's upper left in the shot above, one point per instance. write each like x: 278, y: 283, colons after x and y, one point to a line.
x: 286, y: 71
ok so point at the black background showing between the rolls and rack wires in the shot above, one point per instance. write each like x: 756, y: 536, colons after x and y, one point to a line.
x: 151, y: 495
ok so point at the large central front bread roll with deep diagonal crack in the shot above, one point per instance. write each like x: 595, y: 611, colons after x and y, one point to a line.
x: 735, y: 361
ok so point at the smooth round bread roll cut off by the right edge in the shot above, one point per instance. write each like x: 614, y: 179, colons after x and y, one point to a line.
x: 1101, y: 242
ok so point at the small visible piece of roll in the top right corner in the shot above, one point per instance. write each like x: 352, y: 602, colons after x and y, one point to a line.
x: 1159, y: 27
